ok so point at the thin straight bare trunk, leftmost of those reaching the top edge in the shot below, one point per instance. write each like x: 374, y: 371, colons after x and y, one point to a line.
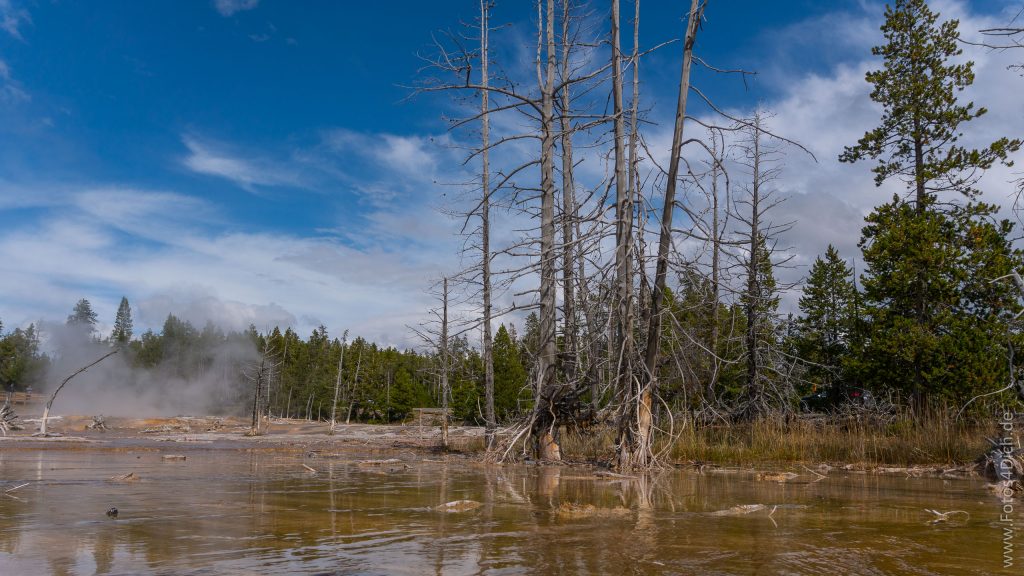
x: 489, y: 346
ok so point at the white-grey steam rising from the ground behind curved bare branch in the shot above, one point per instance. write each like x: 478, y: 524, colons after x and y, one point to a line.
x: 209, y: 382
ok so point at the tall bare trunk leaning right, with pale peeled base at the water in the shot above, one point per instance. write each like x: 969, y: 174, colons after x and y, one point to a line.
x: 635, y: 446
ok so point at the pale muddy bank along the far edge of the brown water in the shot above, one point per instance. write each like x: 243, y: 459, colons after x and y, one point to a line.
x: 414, y: 442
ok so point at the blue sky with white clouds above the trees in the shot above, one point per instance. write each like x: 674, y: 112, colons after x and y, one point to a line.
x: 262, y: 161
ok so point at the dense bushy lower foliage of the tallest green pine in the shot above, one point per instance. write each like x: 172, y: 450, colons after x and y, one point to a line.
x: 936, y: 320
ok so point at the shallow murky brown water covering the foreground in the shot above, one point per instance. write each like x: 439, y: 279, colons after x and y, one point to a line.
x: 235, y: 512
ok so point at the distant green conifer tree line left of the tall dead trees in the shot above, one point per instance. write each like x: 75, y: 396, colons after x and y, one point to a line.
x: 378, y: 384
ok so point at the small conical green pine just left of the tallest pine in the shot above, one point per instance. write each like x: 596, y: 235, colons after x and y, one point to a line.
x: 829, y: 309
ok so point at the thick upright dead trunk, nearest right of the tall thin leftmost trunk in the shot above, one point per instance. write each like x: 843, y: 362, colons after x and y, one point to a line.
x: 546, y: 423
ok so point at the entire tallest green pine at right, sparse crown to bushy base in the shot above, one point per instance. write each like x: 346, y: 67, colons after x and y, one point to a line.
x: 928, y: 307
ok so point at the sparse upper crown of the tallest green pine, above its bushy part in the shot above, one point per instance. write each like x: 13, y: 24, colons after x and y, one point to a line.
x: 921, y: 124
